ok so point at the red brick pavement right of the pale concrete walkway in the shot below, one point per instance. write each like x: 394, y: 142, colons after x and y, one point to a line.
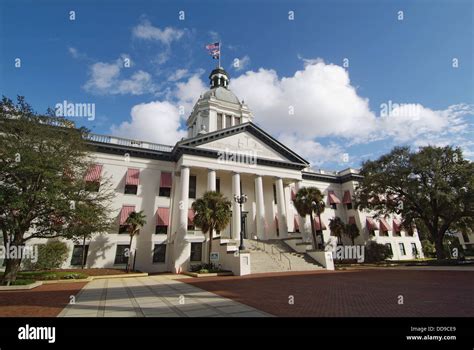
x: 351, y: 293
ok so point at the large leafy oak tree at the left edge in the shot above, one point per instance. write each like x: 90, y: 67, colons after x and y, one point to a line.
x: 43, y: 161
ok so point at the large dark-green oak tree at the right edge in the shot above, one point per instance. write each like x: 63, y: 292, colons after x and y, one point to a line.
x: 433, y: 186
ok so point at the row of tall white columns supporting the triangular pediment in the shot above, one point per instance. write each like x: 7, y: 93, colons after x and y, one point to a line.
x: 182, y: 248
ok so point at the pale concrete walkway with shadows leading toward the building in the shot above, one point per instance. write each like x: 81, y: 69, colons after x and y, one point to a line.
x: 153, y: 296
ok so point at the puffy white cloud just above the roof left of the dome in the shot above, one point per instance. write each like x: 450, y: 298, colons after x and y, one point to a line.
x: 157, y: 121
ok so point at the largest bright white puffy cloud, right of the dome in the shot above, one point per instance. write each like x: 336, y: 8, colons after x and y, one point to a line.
x: 317, y: 101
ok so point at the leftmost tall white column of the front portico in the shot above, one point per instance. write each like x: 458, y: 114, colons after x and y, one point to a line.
x: 182, y: 249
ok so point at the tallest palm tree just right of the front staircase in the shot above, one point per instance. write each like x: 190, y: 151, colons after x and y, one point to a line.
x: 309, y: 200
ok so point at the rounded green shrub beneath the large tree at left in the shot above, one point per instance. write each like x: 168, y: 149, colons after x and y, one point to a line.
x: 50, y: 256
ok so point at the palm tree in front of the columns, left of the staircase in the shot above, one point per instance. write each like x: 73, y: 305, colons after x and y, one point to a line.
x: 212, y: 213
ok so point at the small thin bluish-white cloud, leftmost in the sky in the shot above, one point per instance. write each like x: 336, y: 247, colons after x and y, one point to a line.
x: 104, y: 78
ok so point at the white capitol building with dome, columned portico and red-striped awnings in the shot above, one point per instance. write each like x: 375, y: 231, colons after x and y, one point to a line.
x: 224, y: 151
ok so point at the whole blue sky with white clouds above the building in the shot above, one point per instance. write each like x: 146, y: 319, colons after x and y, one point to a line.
x: 285, y: 63
